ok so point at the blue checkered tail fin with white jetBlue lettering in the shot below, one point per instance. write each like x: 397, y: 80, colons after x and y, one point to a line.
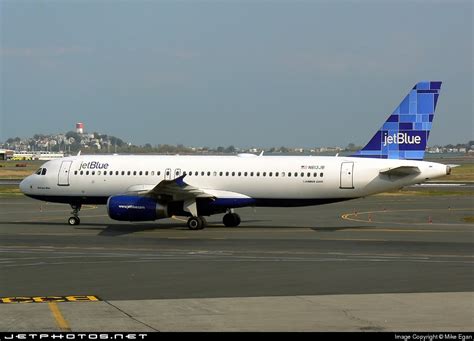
x: 405, y: 133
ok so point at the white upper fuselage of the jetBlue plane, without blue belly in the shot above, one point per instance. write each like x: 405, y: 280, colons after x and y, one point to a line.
x: 284, y: 178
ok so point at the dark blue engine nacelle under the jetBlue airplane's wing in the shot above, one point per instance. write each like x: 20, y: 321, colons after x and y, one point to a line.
x: 135, y: 208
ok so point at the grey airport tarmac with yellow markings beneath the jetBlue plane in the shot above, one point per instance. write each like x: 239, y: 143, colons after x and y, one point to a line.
x: 383, y: 263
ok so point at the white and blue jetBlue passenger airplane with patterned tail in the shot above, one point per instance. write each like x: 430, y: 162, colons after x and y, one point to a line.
x: 151, y: 187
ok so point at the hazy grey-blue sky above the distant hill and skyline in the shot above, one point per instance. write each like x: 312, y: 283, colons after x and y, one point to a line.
x: 242, y: 73
